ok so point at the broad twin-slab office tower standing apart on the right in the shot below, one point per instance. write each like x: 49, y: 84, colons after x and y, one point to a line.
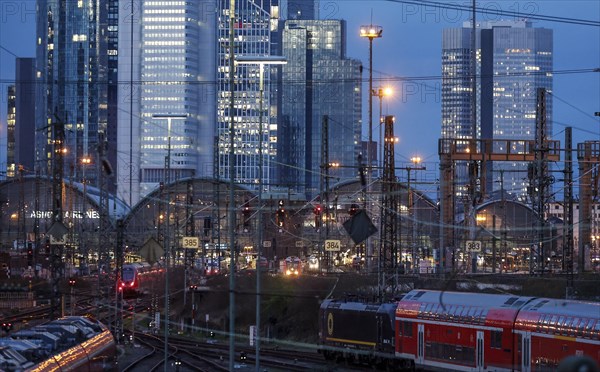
x: 513, y: 61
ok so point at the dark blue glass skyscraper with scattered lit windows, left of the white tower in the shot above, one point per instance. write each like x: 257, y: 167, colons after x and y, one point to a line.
x: 76, y: 80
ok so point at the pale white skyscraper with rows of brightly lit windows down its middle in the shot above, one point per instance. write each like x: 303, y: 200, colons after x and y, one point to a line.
x: 167, y: 54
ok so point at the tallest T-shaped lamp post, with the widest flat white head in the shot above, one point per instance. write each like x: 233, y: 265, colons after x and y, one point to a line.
x: 261, y: 61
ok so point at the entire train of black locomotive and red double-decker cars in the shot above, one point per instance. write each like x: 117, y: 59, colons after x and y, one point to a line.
x: 456, y: 331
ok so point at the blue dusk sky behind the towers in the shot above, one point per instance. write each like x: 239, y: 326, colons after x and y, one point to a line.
x: 408, y: 58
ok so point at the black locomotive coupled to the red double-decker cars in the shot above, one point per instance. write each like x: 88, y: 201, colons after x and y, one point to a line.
x: 359, y: 332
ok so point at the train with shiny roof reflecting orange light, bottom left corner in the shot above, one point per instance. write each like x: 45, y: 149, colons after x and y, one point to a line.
x: 74, y: 343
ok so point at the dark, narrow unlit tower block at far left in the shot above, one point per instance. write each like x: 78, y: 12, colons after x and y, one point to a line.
x: 24, y: 129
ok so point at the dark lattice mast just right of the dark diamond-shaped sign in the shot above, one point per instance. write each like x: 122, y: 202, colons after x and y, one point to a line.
x: 388, y: 247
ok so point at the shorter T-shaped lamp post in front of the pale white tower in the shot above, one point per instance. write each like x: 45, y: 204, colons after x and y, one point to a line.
x: 169, y: 118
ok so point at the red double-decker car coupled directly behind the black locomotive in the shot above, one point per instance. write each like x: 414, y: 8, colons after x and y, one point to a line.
x: 456, y: 331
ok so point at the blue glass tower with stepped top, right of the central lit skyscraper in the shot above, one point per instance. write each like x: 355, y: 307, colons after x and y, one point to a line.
x: 318, y: 80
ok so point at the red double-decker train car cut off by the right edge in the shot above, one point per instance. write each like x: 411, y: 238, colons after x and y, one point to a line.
x: 548, y: 331
